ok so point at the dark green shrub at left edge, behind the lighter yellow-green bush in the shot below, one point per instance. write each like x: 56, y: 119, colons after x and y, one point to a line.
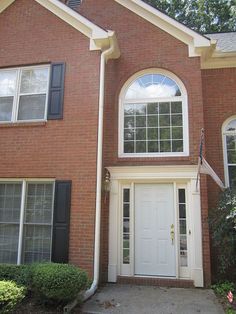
x: 21, y: 274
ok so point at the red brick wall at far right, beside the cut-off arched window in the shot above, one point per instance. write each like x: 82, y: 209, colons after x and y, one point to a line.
x: 219, y: 104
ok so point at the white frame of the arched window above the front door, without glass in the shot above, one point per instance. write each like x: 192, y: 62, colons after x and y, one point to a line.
x: 183, y: 98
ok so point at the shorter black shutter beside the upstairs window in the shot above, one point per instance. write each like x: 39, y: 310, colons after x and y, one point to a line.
x: 56, y: 91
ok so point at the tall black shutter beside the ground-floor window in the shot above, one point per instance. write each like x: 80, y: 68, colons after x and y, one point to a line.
x: 61, y: 220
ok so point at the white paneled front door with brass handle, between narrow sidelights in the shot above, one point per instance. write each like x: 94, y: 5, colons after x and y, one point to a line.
x: 154, y: 215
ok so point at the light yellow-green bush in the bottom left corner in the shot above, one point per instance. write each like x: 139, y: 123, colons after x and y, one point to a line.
x: 10, y: 296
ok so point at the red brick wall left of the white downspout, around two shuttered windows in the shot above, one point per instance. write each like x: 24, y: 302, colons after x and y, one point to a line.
x: 61, y: 149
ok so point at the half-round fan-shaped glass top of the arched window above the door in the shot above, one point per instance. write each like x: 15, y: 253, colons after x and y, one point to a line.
x: 152, y: 86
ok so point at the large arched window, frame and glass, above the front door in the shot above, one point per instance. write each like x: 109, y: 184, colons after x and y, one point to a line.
x: 153, y: 116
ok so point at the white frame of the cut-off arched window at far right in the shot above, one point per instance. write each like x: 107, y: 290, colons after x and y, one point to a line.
x: 224, y: 135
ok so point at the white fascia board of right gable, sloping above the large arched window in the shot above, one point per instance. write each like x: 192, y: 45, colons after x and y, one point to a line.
x: 166, y: 23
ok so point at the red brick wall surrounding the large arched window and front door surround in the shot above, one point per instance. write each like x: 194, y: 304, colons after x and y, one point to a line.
x: 144, y: 46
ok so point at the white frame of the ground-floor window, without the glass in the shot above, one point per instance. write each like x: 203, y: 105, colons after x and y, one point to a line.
x: 24, y: 183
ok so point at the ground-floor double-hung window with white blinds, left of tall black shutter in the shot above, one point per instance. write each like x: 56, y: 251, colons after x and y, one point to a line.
x: 26, y: 217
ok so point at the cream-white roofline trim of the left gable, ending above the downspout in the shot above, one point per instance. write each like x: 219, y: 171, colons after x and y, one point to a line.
x: 99, y: 38
